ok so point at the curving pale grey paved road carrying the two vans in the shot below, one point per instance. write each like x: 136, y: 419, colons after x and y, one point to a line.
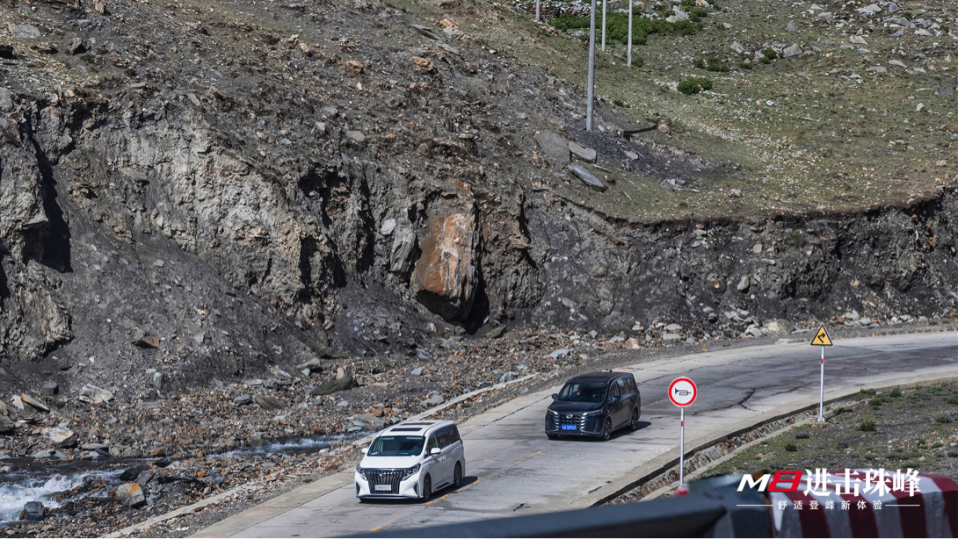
x: 513, y: 469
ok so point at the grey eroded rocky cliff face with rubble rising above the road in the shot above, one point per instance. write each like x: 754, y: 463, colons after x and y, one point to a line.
x: 271, y: 200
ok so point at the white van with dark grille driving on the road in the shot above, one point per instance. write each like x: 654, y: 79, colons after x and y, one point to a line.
x: 411, y: 460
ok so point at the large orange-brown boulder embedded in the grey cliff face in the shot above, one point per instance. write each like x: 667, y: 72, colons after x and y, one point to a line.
x: 446, y: 273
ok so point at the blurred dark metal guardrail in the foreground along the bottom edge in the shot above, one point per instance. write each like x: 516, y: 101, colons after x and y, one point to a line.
x: 716, y: 515
